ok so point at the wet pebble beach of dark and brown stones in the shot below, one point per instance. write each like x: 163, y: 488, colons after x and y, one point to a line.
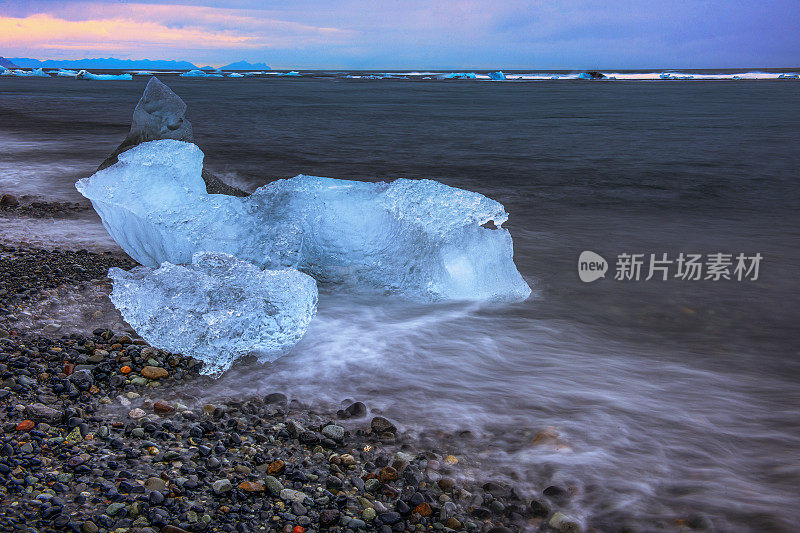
x: 95, y: 440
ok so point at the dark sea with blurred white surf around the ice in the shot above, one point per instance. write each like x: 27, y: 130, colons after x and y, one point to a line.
x: 670, y: 398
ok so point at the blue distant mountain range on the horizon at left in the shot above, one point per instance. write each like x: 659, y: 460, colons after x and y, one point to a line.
x: 113, y: 63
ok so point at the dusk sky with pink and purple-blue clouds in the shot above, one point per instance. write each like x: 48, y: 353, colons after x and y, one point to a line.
x: 413, y: 34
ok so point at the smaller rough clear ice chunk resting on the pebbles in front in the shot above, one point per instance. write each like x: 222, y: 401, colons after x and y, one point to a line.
x: 217, y: 309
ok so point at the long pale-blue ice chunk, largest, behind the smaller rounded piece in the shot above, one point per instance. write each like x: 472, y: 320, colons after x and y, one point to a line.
x: 417, y: 238
